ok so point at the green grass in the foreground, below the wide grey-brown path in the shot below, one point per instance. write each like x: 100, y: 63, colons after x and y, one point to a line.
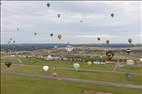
x: 24, y: 85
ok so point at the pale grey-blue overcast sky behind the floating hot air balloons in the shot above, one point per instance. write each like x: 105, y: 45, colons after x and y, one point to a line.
x: 34, y: 16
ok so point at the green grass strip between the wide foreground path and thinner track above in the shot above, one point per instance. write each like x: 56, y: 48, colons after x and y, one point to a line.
x: 100, y: 76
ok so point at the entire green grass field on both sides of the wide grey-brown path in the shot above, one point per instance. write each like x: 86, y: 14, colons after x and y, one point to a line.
x: 28, y: 85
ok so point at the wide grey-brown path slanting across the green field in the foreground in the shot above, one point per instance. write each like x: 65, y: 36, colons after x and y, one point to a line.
x: 73, y: 80
